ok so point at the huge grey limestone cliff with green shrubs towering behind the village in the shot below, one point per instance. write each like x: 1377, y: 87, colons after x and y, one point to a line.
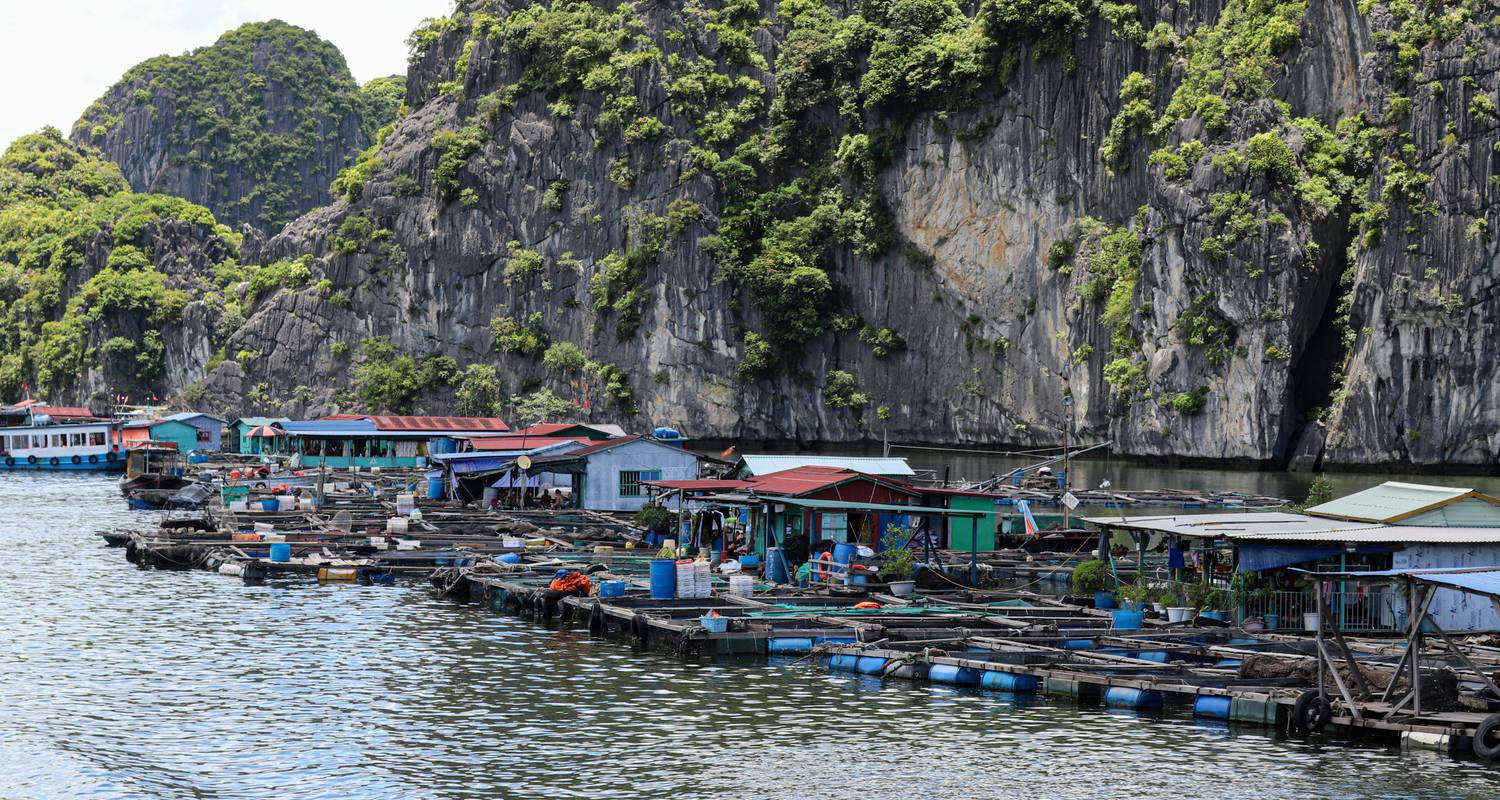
x: 1220, y: 230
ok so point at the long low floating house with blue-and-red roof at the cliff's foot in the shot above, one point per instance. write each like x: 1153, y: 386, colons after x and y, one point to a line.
x: 355, y: 441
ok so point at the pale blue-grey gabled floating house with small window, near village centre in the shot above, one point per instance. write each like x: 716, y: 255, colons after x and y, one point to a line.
x: 616, y: 474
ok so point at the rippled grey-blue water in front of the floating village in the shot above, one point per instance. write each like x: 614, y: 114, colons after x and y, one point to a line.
x: 127, y: 684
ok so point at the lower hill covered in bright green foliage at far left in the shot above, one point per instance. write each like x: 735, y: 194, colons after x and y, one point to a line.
x: 86, y: 280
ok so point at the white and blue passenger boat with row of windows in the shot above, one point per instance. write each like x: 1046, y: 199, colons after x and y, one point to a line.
x: 41, y: 438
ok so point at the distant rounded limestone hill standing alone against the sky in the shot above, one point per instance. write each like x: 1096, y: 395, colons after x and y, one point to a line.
x: 254, y: 127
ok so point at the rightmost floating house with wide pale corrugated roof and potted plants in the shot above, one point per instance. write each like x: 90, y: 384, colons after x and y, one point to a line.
x: 1388, y: 528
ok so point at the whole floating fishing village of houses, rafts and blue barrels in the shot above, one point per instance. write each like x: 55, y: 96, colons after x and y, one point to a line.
x: 1211, y: 604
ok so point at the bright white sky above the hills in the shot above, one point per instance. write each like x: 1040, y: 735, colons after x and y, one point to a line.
x: 61, y: 56
